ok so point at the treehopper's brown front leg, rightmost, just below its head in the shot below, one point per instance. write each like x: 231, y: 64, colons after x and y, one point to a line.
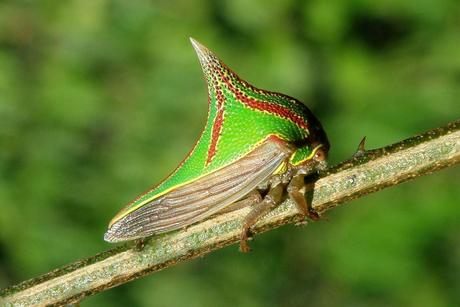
x: 296, y: 190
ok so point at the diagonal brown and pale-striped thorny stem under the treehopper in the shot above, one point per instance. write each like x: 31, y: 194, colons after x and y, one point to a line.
x: 365, y: 173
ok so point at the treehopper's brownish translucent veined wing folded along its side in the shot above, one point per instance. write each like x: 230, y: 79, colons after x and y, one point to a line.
x: 203, y: 197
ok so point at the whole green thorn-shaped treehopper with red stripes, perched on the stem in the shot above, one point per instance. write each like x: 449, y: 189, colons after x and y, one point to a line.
x: 252, y: 136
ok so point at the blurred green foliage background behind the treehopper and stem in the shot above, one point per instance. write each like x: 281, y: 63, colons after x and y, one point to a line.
x: 101, y: 99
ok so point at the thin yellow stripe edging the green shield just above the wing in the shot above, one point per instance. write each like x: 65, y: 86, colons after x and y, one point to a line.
x: 124, y: 213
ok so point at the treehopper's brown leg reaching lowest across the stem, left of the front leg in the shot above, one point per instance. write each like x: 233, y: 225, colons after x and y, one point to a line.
x: 270, y: 201
